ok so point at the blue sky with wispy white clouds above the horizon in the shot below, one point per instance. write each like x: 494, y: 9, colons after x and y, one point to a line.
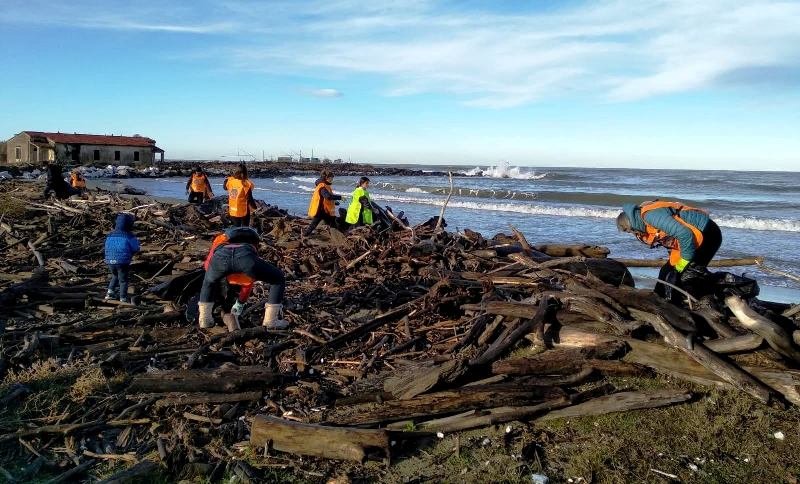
x: 709, y: 84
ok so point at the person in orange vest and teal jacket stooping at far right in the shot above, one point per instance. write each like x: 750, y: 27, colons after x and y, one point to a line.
x: 689, y: 233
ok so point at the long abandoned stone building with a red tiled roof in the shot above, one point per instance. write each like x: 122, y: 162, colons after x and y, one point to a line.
x: 38, y: 147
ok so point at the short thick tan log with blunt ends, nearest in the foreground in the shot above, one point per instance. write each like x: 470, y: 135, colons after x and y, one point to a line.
x: 317, y: 440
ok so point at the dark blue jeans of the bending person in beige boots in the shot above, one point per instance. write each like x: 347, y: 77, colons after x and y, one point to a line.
x: 233, y: 259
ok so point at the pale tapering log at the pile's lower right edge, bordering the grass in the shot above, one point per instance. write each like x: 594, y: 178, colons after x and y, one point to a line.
x: 621, y: 402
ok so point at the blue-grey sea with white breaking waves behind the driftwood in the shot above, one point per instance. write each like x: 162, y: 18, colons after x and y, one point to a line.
x: 758, y: 212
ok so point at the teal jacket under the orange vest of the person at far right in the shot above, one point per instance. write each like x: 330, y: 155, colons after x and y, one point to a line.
x: 661, y: 218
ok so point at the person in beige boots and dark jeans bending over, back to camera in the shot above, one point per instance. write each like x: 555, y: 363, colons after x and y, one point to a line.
x: 234, y: 256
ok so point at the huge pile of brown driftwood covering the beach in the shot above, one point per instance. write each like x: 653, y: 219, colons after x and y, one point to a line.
x: 394, y: 336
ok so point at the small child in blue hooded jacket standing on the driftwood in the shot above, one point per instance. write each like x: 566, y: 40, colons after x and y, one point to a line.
x: 120, y: 246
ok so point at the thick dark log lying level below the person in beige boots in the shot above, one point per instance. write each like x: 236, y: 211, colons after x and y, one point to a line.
x: 204, y: 380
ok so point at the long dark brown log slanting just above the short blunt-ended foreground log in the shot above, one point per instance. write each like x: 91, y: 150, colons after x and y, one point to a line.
x: 444, y: 402
